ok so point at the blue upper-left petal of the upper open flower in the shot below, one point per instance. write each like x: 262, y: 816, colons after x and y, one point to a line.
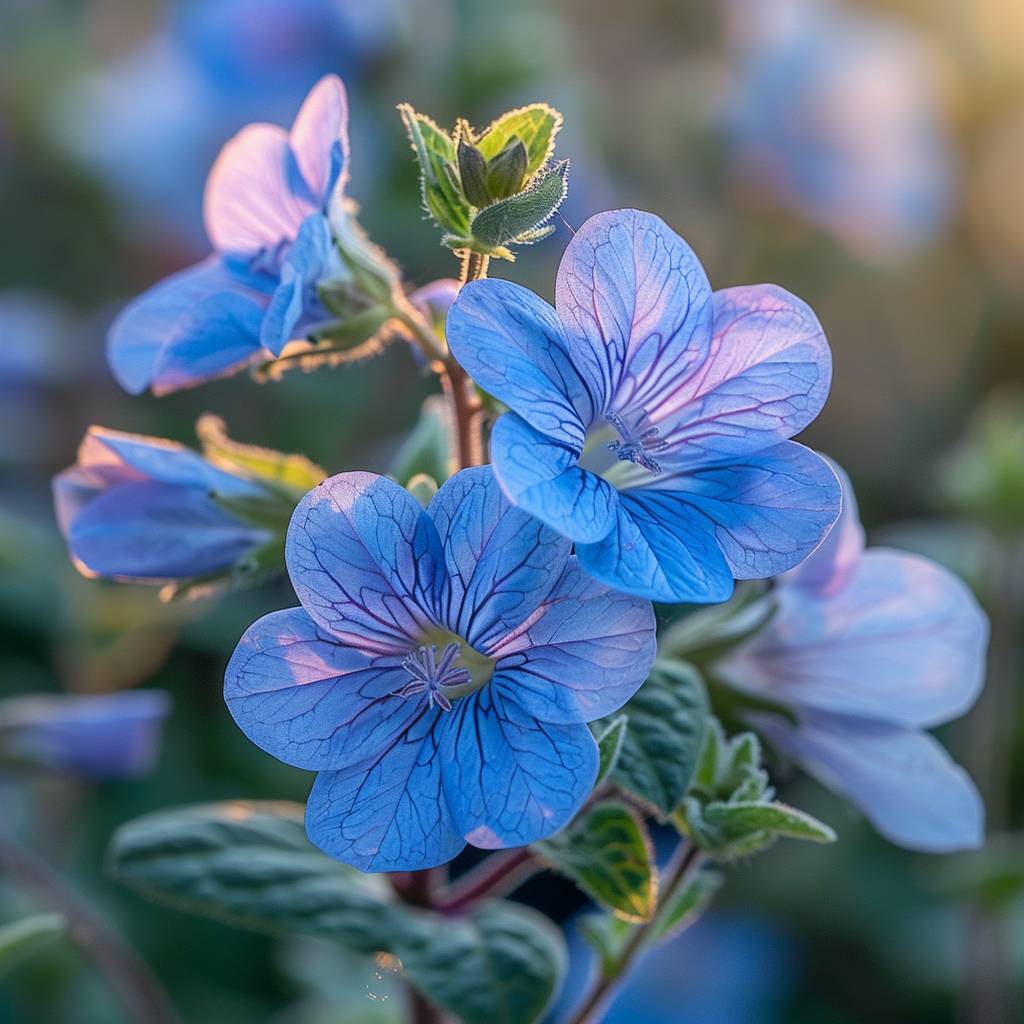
x: 511, y: 344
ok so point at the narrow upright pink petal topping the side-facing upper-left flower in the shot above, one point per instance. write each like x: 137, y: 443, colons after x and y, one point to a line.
x: 320, y: 138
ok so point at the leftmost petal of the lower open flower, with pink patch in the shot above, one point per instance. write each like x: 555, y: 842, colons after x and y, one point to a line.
x: 311, y: 702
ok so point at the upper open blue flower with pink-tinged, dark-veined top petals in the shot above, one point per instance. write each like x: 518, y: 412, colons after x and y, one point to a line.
x: 651, y: 417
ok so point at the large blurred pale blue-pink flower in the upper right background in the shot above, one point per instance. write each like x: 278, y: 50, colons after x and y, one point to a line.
x: 834, y: 113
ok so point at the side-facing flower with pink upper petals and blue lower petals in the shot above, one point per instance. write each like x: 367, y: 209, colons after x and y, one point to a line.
x: 266, y: 206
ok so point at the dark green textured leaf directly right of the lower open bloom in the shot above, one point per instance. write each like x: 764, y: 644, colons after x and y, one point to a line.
x: 667, y: 719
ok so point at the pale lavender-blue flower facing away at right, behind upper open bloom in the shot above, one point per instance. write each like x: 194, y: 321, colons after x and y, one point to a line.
x: 867, y: 651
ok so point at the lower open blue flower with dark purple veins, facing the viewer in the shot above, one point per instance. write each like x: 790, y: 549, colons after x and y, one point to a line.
x: 440, y: 672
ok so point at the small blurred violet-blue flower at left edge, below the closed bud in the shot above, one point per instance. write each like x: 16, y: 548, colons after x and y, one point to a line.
x: 108, y: 736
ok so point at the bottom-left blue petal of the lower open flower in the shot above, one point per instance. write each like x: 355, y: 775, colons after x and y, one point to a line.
x: 389, y: 814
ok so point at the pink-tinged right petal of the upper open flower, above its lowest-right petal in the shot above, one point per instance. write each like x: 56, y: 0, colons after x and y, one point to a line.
x: 766, y: 377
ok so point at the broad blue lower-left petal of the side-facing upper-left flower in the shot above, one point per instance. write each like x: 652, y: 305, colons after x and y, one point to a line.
x: 204, y: 307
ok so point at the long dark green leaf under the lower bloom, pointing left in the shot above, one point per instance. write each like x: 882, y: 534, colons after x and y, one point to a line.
x: 250, y: 865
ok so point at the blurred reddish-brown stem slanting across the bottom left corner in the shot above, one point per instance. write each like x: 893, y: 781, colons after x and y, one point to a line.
x: 127, y: 975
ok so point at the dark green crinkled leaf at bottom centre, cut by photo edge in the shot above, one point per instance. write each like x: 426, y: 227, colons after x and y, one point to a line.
x: 501, y: 966
